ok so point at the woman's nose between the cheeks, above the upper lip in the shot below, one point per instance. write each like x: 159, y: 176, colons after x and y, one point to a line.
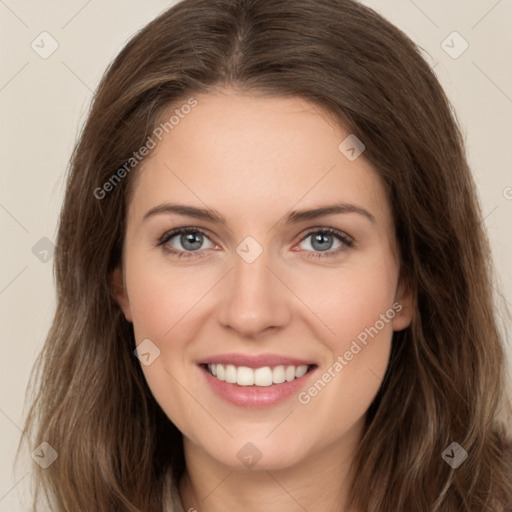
x: 254, y: 299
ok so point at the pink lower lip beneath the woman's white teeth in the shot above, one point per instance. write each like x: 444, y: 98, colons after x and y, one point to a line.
x: 256, y: 396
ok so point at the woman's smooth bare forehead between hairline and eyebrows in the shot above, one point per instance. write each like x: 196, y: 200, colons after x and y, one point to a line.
x: 247, y: 155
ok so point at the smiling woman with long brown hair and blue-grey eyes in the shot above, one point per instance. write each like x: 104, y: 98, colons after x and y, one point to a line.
x: 329, y: 340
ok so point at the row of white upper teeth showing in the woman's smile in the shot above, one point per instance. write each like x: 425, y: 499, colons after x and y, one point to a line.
x: 265, y: 376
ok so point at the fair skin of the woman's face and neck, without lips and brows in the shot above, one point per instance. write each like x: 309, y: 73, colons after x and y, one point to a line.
x: 253, y: 159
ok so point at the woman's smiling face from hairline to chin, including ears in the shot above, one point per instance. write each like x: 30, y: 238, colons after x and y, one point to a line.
x: 225, y: 272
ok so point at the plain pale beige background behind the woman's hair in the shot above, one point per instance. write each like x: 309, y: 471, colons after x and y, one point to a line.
x: 44, y: 101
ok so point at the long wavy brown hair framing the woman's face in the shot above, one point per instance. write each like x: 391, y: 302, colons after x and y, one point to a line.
x: 446, y: 378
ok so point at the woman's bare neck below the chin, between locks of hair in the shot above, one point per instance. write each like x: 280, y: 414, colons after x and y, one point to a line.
x: 321, y: 481
